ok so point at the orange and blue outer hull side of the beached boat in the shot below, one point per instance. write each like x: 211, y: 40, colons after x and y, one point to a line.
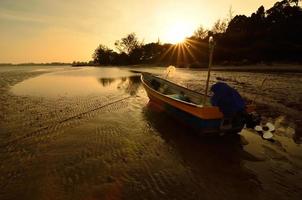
x: 201, y: 119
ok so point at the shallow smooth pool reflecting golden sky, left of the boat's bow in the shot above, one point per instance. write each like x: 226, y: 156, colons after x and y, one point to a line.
x: 79, y: 82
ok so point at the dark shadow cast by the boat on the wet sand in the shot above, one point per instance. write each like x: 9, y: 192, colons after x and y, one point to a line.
x: 216, y: 163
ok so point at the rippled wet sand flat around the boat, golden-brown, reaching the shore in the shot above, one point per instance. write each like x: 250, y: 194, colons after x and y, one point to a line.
x: 113, y: 144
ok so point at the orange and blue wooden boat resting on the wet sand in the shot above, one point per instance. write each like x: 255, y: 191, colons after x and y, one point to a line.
x: 188, y: 106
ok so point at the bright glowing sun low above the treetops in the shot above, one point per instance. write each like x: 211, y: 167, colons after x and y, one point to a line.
x: 178, y: 32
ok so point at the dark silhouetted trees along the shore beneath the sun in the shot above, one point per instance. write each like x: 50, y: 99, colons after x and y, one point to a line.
x: 265, y: 36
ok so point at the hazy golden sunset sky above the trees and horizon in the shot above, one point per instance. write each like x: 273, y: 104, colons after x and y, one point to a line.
x: 70, y: 30
